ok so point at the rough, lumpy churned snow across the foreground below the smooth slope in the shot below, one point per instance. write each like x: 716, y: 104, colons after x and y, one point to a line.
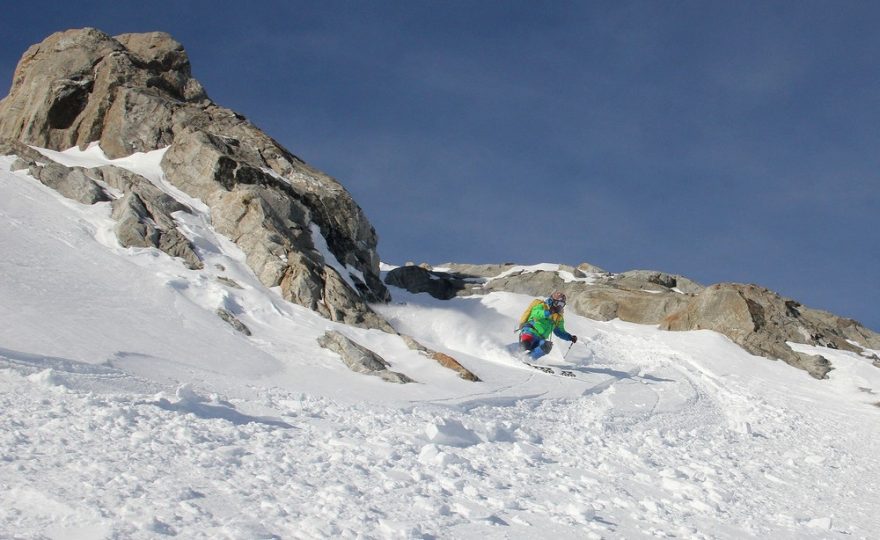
x: 642, y: 458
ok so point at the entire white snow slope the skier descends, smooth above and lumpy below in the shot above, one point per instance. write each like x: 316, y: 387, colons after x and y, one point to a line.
x: 130, y: 410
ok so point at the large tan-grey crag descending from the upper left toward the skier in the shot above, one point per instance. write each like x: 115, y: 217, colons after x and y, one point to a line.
x: 135, y: 93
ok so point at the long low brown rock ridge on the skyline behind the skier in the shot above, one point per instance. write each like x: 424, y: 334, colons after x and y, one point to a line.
x: 760, y: 321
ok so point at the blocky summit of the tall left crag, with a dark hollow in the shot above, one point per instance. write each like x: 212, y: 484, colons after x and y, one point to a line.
x: 81, y: 86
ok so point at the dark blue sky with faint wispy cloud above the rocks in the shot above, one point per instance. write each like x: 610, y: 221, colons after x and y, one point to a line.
x: 725, y: 141
